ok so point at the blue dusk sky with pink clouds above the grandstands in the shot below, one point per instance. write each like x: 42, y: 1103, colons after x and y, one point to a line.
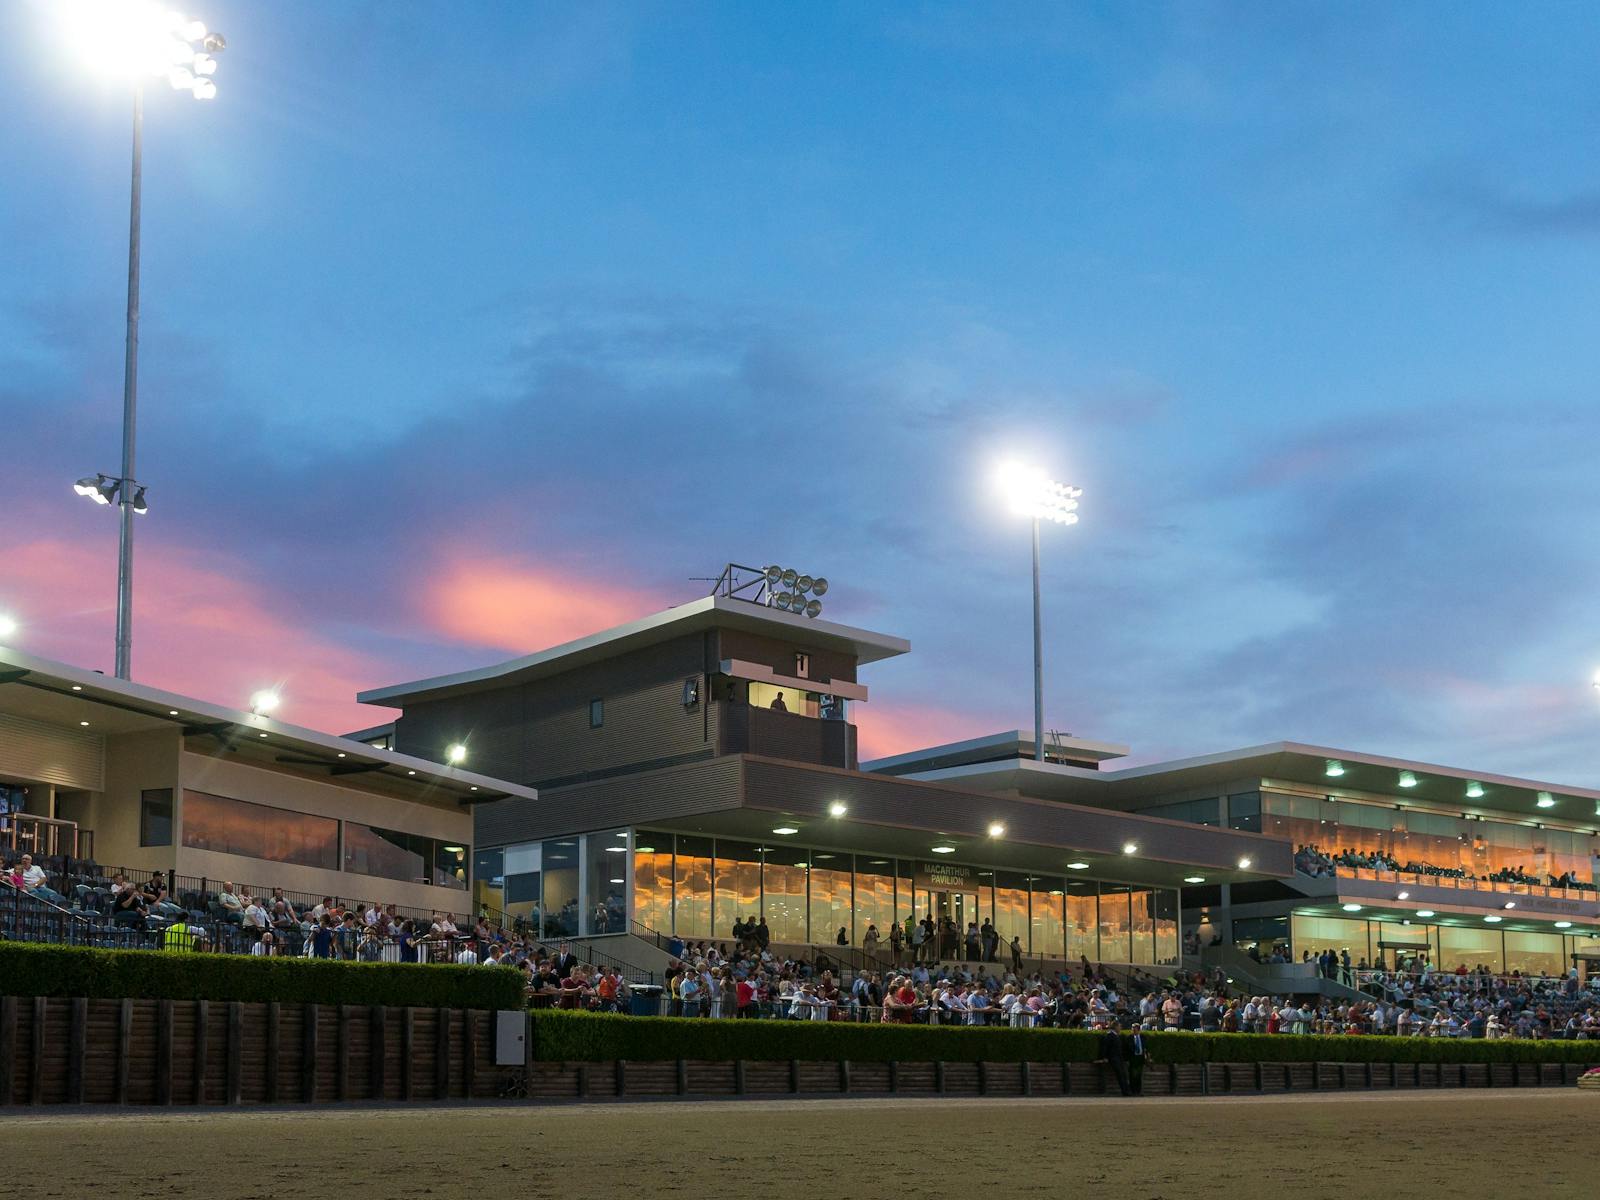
x: 468, y: 329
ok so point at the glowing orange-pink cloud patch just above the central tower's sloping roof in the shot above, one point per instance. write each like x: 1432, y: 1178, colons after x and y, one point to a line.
x: 510, y: 606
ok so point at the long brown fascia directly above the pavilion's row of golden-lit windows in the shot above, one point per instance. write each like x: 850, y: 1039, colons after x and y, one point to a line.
x: 900, y: 802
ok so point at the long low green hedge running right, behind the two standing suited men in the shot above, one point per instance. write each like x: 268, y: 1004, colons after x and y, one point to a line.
x: 598, y: 1038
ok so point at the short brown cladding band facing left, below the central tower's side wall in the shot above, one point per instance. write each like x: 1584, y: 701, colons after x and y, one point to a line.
x: 630, y: 801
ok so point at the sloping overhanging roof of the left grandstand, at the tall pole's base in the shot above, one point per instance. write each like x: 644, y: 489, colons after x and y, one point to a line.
x: 55, y: 694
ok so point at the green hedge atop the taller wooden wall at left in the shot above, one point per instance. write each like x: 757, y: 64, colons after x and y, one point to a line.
x: 30, y: 969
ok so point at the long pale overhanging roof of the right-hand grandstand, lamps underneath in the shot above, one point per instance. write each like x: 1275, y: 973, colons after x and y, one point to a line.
x: 1289, y: 766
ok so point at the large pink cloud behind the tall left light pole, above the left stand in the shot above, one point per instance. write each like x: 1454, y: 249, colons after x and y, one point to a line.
x: 201, y: 628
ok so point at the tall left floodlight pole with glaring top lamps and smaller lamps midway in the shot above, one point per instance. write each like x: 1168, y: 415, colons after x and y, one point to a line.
x: 137, y: 41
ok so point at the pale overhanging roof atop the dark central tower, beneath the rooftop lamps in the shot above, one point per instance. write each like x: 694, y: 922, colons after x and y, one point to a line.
x: 711, y: 612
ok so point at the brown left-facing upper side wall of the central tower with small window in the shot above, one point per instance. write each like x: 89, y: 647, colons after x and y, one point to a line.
x: 534, y: 732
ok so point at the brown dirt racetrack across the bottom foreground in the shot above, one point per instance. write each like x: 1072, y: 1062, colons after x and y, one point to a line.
x: 1346, y: 1146
